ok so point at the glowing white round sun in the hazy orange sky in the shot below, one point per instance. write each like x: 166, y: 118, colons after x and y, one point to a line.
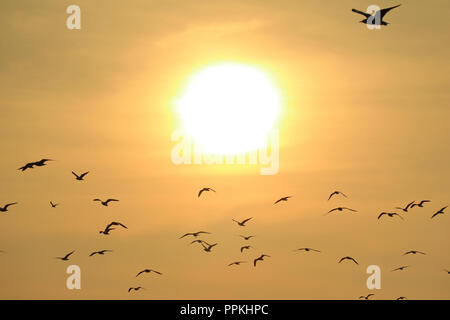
x: 229, y: 108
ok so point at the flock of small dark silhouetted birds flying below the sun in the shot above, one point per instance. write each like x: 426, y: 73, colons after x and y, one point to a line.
x: 207, y: 247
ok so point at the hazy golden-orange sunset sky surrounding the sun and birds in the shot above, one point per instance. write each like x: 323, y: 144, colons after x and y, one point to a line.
x: 362, y: 111
